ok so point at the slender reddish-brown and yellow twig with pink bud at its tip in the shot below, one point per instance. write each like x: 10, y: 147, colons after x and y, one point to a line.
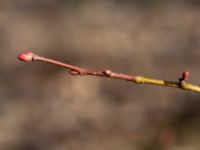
x: 74, y: 70
